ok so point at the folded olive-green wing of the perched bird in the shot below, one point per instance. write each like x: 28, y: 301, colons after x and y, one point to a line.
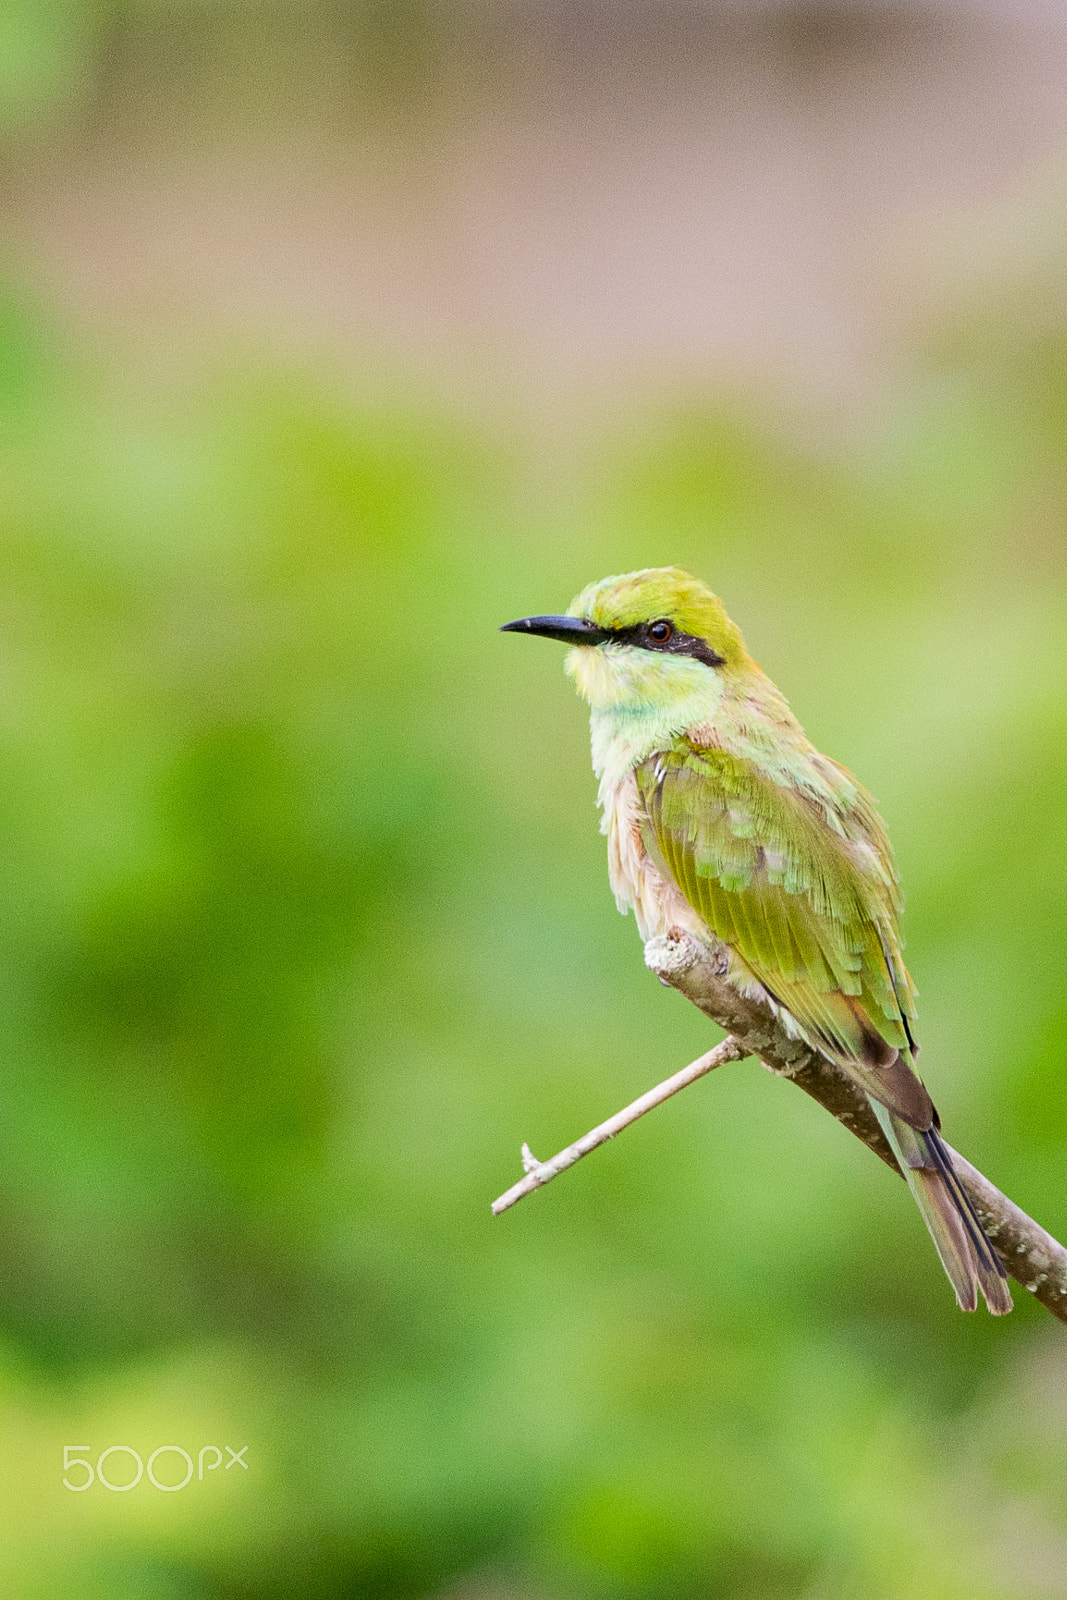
x: 799, y: 881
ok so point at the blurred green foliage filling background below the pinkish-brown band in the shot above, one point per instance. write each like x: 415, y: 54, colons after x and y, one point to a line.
x: 306, y: 929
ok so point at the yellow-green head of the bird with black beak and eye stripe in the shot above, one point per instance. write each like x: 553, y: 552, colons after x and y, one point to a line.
x: 645, y: 641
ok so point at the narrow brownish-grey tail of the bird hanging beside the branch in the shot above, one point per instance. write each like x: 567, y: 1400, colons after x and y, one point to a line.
x: 959, y: 1238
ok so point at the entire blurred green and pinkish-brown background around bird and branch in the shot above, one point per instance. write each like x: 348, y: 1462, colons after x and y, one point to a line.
x: 306, y: 921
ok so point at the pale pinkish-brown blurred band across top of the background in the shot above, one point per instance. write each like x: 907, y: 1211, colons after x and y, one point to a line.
x: 540, y: 198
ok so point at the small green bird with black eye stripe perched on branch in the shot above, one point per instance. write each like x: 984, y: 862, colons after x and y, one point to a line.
x: 725, y: 822
